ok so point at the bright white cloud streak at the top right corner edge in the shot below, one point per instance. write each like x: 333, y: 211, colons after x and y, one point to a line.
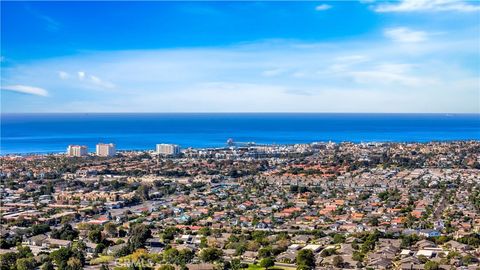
x: 428, y: 5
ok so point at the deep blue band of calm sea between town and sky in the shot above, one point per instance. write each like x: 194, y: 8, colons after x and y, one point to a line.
x: 45, y: 133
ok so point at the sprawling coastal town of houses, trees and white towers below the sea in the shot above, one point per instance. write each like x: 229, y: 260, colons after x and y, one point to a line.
x: 304, y: 206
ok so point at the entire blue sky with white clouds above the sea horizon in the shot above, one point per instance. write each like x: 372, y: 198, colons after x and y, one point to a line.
x: 322, y: 56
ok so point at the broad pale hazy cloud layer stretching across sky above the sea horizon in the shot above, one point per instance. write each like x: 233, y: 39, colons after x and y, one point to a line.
x: 349, y: 76
